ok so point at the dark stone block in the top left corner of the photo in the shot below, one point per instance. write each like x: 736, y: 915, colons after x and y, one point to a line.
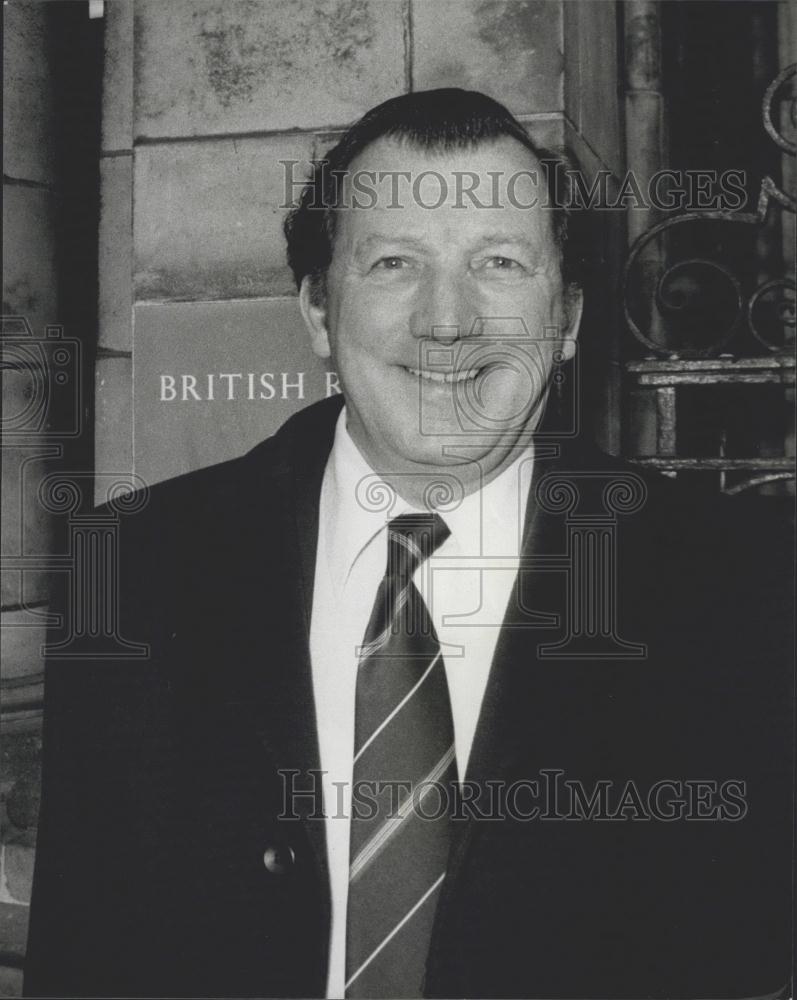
x: 28, y: 146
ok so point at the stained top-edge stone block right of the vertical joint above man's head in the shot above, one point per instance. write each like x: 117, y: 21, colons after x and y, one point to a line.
x: 510, y: 50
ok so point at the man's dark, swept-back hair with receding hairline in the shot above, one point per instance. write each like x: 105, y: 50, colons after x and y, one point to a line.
x: 434, y: 120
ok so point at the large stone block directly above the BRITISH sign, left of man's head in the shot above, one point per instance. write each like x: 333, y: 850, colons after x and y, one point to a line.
x: 208, y: 217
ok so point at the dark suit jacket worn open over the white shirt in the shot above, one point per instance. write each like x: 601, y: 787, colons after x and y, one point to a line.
x: 161, y: 787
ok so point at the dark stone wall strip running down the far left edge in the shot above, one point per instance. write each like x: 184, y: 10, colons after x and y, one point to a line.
x: 30, y: 295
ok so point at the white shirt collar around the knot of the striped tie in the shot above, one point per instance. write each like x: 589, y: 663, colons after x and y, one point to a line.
x: 356, y: 507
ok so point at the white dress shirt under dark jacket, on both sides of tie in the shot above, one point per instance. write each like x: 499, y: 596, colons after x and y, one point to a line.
x: 466, y: 599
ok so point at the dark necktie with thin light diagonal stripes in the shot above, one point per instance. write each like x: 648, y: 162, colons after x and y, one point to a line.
x: 404, y: 777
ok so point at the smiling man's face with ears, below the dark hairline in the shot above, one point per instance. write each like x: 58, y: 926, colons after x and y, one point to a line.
x: 443, y: 322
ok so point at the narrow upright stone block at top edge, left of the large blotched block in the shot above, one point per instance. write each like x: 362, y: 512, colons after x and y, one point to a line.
x: 117, y: 79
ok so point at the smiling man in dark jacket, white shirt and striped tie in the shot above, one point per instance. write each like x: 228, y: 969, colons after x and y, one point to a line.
x: 437, y: 703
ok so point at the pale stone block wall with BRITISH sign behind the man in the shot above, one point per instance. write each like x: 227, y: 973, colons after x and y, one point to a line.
x: 203, y: 99
